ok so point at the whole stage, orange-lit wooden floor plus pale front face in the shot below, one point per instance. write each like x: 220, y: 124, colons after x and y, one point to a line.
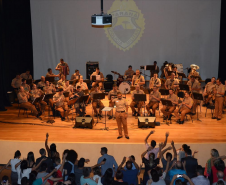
x: 28, y: 134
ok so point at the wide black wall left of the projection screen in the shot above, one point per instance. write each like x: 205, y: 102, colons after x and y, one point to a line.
x: 16, y: 40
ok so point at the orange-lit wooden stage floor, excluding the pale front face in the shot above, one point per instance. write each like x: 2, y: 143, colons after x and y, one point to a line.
x: 14, y: 128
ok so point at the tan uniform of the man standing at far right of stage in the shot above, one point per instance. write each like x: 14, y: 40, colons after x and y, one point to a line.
x: 219, y: 100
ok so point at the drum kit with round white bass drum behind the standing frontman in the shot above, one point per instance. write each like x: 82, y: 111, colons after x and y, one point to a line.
x: 123, y: 83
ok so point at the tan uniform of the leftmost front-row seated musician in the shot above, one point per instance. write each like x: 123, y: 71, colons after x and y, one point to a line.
x: 23, y: 100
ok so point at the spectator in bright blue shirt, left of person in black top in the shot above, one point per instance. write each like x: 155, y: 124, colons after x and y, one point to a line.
x: 174, y: 172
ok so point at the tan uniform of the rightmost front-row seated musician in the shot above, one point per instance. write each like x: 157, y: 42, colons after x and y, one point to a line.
x: 183, y: 109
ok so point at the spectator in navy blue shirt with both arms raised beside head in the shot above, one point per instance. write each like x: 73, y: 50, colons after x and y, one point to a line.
x: 129, y: 175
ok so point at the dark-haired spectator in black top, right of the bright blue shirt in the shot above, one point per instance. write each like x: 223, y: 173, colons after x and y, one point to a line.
x: 191, y: 163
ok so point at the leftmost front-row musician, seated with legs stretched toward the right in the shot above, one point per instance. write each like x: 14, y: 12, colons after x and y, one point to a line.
x: 23, y: 100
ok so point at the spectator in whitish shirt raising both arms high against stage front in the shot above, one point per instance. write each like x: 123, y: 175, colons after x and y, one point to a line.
x: 153, y: 144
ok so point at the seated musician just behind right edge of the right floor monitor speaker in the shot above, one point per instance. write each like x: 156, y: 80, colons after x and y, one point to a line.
x: 154, y: 99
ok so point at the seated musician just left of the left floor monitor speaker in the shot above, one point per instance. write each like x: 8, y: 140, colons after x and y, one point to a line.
x: 60, y: 104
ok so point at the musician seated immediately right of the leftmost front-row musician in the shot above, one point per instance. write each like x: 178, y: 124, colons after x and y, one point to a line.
x: 36, y: 93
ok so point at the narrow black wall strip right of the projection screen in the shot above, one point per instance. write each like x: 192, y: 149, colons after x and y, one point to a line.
x: 222, y: 58
